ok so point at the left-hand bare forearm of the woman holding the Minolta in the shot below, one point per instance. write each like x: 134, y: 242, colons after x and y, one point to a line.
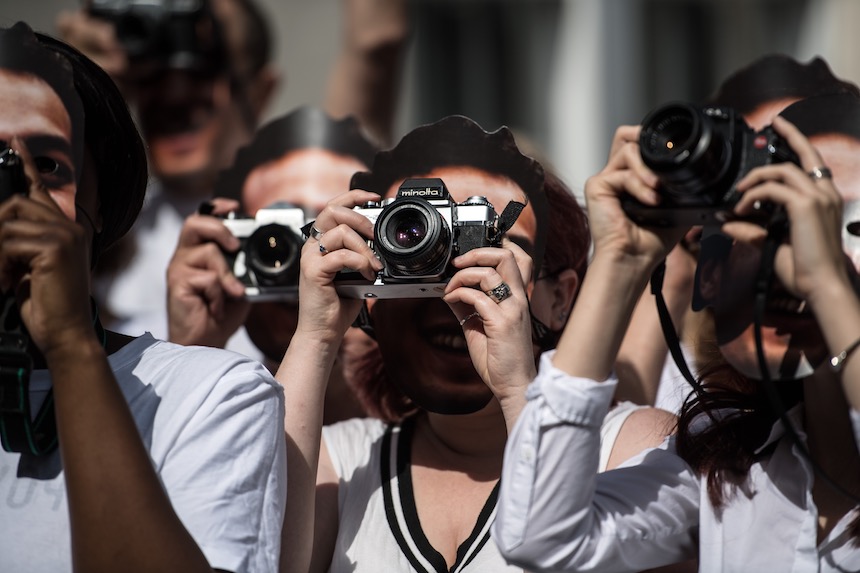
x: 304, y: 374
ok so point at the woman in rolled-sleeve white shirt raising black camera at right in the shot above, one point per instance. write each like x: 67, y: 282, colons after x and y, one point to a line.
x: 756, y: 479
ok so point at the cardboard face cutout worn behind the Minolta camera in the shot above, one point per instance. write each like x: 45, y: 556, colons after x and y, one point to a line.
x: 423, y: 348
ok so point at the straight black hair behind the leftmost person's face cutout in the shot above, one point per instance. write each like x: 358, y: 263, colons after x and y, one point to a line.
x: 113, y: 141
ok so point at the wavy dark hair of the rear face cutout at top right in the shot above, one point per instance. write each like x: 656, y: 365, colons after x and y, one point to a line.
x: 777, y: 76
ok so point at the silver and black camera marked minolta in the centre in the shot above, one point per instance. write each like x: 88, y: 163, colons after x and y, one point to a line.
x: 417, y: 233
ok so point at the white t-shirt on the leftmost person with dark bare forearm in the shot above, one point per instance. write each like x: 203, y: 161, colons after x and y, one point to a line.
x: 212, y: 422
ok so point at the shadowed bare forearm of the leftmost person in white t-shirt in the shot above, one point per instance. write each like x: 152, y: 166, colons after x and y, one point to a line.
x: 118, y: 510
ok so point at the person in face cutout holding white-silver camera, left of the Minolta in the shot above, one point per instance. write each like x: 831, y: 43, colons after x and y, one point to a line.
x: 292, y: 168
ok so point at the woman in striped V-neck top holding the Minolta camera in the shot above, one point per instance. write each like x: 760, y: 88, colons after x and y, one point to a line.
x: 414, y: 486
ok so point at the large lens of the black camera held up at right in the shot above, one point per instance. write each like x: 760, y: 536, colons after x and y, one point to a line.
x: 689, y: 150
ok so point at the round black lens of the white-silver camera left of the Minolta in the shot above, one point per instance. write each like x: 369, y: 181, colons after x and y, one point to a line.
x: 272, y: 252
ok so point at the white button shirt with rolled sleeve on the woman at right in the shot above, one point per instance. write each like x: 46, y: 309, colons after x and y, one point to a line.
x: 556, y: 512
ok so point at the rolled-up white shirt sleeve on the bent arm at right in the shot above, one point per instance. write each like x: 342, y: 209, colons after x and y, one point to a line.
x: 556, y: 513
